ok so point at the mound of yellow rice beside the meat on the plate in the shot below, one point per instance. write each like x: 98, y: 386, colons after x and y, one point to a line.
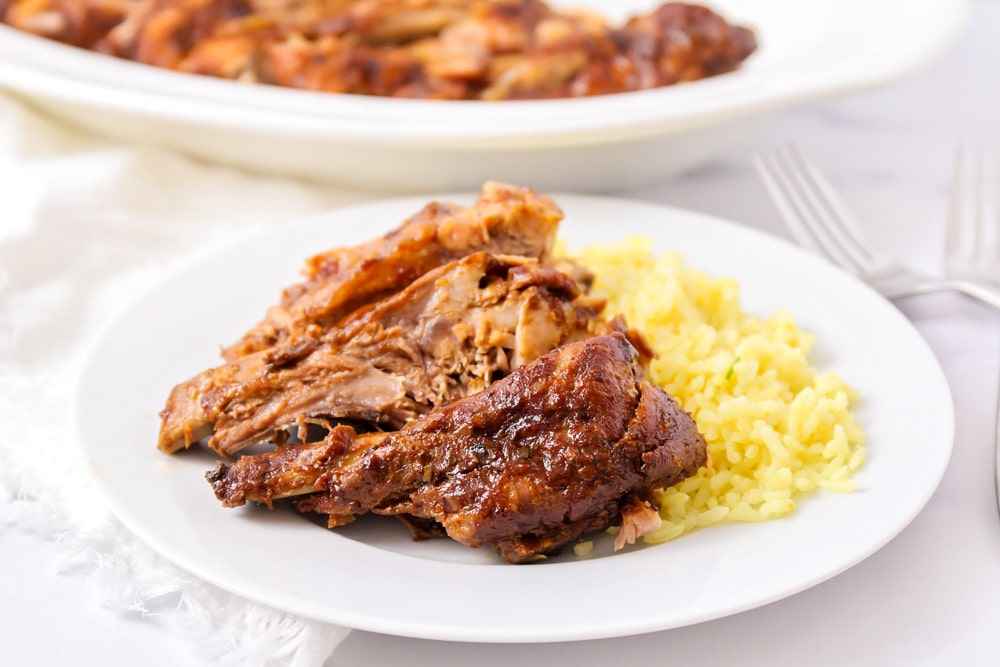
x: 776, y: 426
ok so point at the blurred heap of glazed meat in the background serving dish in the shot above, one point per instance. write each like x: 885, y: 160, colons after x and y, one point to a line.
x: 438, y: 49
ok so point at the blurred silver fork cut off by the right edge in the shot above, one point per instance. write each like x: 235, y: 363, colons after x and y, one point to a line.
x: 972, y: 239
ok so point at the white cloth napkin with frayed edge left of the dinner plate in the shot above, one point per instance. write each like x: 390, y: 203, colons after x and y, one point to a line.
x: 85, y: 226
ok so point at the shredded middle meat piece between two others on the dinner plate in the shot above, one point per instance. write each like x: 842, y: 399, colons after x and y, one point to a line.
x: 448, y: 335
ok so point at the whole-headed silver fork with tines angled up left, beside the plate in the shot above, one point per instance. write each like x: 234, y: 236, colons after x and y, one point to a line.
x: 819, y: 219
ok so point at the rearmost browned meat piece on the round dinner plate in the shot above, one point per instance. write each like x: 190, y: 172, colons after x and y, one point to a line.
x: 505, y: 220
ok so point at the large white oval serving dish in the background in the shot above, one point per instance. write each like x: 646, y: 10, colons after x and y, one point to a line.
x: 808, y: 51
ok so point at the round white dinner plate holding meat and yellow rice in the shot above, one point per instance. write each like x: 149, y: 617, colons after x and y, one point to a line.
x: 372, y: 576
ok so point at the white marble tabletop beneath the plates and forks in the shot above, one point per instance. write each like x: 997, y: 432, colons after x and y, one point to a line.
x: 931, y: 597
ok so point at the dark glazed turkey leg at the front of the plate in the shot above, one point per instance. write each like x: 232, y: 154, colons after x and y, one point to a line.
x: 573, y: 442
